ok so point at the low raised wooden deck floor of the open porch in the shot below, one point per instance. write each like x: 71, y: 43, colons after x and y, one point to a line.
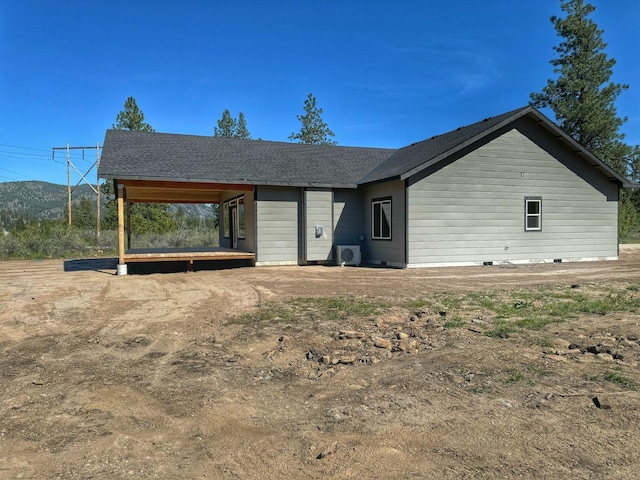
x: 185, y: 254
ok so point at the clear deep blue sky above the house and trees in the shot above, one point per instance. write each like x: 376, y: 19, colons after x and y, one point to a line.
x: 386, y: 74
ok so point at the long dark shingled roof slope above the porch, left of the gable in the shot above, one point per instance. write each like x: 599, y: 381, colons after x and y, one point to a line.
x: 189, y: 158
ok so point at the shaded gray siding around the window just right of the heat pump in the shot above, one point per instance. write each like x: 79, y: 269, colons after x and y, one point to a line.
x: 391, y: 252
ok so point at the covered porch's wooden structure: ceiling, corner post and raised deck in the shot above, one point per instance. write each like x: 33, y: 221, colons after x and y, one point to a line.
x: 129, y: 192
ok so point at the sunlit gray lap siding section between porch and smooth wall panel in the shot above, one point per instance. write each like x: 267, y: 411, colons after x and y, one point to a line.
x: 277, y: 210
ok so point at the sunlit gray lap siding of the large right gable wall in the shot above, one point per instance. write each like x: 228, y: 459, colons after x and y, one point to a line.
x: 472, y: 210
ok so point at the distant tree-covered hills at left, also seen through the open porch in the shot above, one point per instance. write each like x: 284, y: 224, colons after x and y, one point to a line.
x: 43, y: 200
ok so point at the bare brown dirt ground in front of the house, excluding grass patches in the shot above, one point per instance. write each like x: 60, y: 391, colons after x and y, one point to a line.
x: 148, y: 376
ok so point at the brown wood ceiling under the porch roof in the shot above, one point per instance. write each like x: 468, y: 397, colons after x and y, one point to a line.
x: 149, y: 191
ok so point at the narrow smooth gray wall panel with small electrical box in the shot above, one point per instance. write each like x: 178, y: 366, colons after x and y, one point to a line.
x: 318, y: 212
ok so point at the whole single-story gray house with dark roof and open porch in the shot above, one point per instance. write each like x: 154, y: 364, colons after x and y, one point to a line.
x: 511, y: 188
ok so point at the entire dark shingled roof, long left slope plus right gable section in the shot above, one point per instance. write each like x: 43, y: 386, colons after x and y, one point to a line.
x: 188, y: 158
